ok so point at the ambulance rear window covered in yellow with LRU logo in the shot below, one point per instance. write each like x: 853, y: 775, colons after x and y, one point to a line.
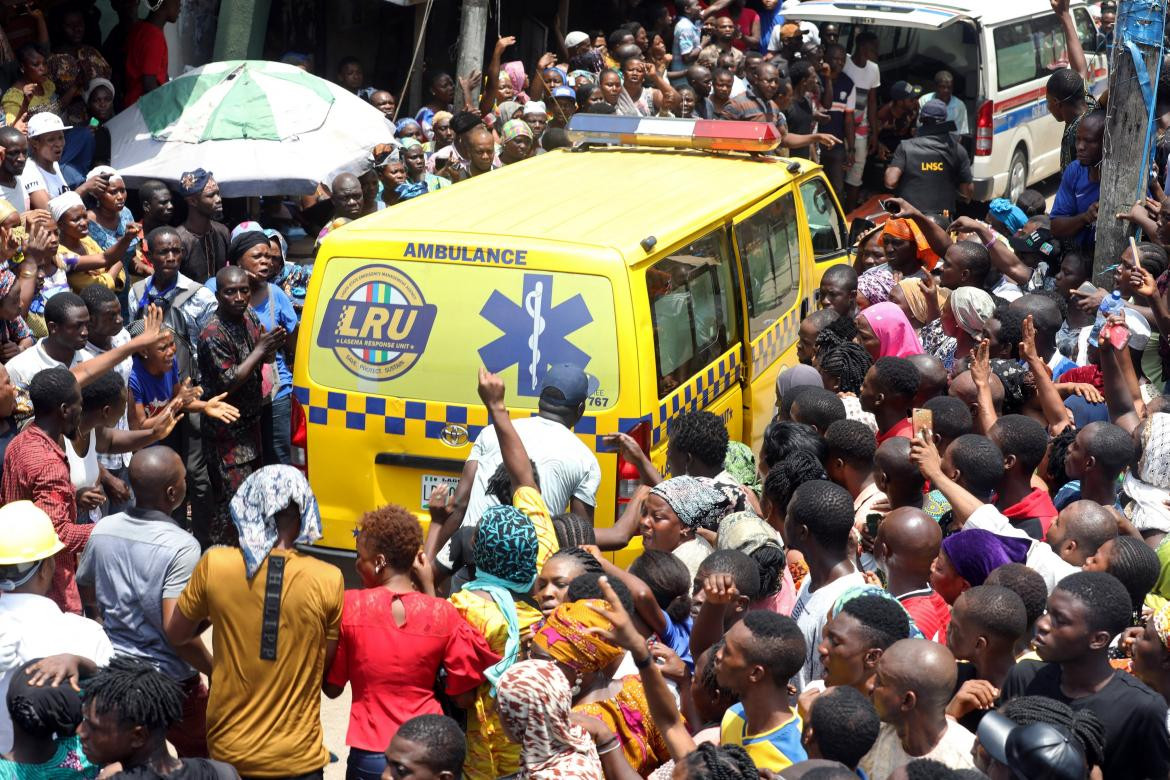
x: 421, y: 330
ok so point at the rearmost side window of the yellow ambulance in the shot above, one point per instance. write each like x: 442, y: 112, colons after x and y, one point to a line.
x: 693, y: 309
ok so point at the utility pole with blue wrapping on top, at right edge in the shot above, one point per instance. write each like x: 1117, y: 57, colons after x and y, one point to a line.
x: 1128, y: 133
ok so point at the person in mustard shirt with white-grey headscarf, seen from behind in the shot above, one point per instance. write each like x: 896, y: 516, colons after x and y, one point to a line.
x: 264, y: 675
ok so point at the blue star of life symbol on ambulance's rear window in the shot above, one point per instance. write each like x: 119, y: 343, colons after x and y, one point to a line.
x: 534, y: 333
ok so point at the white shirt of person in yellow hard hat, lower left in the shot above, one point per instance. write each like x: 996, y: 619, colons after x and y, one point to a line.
x: 35, y: 627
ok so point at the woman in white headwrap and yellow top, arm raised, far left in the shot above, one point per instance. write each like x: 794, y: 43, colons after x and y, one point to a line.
x: 85, y: 261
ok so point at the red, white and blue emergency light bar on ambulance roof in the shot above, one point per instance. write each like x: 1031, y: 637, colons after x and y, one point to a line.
x: 714, y: 135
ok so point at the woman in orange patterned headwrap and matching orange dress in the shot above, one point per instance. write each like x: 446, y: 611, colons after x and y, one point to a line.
x: 567, y: 638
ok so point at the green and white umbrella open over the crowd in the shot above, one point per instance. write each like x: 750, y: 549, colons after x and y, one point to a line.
x: 260, y: 128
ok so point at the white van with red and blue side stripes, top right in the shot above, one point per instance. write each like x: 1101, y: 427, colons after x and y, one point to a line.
x: 1002, y: 53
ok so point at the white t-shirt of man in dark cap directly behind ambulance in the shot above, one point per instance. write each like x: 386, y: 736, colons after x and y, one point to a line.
x: 567, y: 467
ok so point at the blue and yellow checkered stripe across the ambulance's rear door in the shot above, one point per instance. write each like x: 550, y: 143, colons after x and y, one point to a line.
x: 428, y: 419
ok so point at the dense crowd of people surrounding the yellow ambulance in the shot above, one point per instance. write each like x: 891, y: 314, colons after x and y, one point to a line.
x: 947, y: 560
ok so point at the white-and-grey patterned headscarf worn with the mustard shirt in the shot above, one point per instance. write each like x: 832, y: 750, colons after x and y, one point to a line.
x: 258, y: 501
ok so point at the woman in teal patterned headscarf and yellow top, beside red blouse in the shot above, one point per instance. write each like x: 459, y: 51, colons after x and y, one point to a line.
x: 495, y: 604
